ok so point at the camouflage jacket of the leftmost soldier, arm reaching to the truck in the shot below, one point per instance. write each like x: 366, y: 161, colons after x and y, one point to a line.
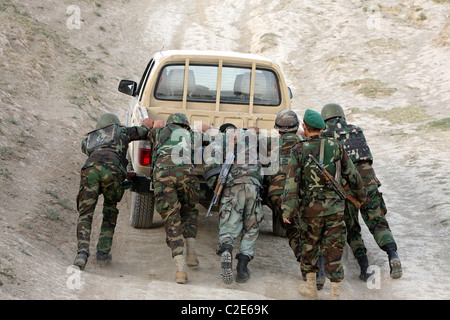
x: 110, y: 144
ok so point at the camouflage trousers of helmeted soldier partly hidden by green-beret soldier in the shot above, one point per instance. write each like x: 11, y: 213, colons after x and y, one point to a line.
x: 293, y: 230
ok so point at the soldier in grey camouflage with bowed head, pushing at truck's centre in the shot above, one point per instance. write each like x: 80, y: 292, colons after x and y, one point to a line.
x: 240, y: 205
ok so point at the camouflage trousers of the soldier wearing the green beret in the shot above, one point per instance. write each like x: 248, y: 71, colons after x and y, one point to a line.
x: 324, y: 234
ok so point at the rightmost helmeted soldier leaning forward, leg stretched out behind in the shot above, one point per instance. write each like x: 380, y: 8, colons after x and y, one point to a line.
x: 374, y: 210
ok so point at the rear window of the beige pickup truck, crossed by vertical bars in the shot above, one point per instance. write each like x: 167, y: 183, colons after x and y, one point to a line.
x: 202, y: 85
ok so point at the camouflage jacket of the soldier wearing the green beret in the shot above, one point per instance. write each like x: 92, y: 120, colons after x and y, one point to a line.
x: 304, y: 184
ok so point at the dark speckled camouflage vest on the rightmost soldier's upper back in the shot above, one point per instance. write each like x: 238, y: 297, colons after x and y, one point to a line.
x: 352, y: 137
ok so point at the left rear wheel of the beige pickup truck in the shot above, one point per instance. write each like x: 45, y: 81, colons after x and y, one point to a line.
x: 142, y: 207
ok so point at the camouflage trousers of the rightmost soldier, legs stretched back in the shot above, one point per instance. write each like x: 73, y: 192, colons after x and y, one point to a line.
x: 373, y: 213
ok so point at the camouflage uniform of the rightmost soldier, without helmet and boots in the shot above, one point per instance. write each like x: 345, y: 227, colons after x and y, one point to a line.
x: 374, y: 210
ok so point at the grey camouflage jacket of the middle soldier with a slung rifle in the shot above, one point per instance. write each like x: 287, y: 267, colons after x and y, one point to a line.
x: 246, y: 167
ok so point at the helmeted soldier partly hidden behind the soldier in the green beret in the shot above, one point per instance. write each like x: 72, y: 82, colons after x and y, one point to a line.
x: 287, y: 125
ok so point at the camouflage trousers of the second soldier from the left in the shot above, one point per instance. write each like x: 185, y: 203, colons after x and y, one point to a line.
x: 176, y: 194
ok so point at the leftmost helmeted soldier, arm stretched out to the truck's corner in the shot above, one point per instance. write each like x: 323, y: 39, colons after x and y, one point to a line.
x: 103, y: 173
